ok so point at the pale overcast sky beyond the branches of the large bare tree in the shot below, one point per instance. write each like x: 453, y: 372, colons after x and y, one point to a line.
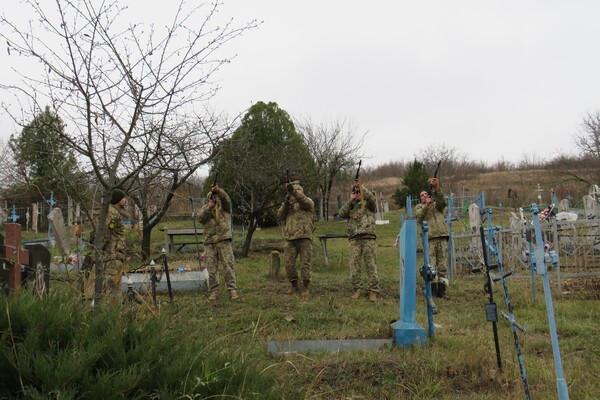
x: 496, y: 80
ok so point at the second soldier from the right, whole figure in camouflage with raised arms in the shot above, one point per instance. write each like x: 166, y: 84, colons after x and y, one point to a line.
x: 359, y: 212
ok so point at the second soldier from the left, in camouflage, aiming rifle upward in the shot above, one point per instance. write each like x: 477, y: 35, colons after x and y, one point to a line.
x: 215, y: 216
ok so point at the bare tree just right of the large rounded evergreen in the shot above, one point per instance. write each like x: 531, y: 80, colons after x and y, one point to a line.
x: 336, y: 148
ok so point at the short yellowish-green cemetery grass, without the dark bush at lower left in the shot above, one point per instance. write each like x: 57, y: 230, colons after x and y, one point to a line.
x: 459, y: 363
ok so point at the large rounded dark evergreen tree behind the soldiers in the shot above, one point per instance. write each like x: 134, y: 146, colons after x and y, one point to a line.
x: 253, y: 165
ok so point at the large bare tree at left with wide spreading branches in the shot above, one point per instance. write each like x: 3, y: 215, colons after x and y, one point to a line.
x: 125, y: 91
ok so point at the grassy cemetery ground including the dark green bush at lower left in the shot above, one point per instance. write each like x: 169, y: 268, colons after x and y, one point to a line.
x: 187, y: 348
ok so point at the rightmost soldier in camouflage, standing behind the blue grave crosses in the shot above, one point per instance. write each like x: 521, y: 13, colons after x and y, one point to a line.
x: 431, y: 210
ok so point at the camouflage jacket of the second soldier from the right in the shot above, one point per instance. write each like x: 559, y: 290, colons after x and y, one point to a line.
x: 361, y: 216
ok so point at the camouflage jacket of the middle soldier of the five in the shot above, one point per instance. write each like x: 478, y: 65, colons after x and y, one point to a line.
x: 297, y: 212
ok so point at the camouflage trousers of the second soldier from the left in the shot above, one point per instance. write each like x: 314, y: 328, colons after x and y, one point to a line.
x: 220, y: 253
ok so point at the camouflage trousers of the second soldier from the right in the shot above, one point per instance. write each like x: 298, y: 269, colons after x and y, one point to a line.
x: 363, y: 251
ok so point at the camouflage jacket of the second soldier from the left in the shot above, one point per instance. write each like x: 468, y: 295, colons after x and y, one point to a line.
x: 217, y: 221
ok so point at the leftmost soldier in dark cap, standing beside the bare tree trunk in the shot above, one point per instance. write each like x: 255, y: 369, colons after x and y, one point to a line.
x: 114, y: 249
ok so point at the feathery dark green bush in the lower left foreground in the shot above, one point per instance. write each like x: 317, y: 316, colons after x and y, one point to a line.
x: 61, y: 348
